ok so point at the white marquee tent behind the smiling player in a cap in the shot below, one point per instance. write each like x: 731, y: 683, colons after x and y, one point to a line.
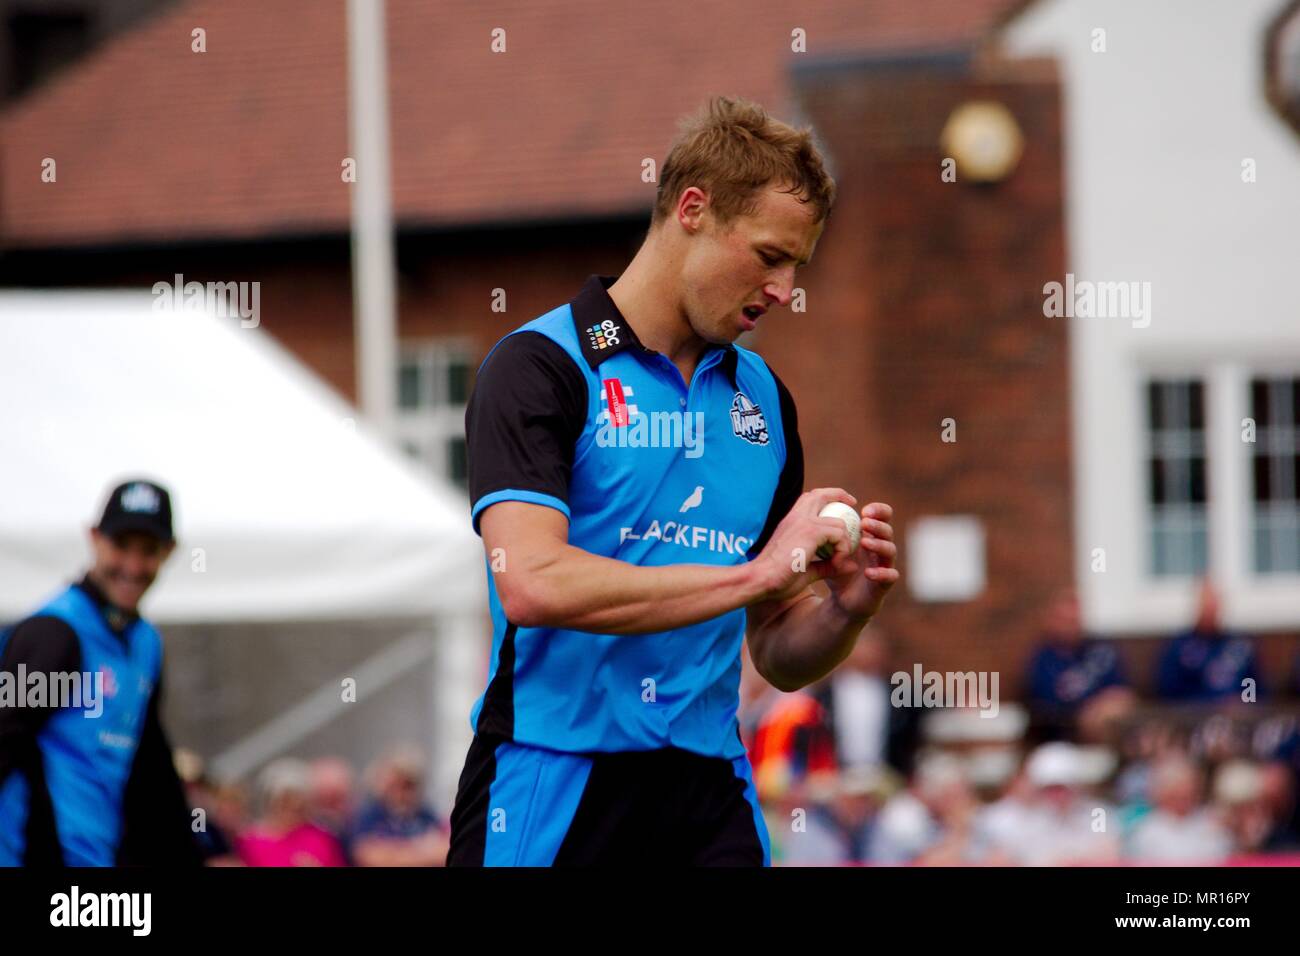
x: 287, y: 511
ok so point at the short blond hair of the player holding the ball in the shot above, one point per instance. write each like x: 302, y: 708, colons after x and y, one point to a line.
x: 731, y: 149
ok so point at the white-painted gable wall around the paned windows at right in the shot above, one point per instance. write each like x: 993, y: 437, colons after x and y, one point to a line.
x: 1158, y: 129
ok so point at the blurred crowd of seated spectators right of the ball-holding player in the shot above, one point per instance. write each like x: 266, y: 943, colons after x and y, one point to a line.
x: 1201, y: 767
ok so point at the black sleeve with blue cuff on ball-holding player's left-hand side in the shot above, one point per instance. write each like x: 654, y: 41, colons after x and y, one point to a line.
x: 523, y: 422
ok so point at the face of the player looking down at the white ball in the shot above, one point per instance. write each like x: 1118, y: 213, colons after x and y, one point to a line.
x: 747, y: 265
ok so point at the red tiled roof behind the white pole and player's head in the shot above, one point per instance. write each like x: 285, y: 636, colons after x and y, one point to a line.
x: 157, y: 142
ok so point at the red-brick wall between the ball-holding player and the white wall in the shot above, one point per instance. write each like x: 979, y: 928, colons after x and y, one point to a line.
x: 925, y: 305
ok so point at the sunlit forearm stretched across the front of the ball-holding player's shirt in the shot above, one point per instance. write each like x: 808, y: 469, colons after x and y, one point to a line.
x: 580, y: 591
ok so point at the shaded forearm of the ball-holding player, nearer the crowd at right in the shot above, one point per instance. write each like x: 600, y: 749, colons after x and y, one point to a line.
x: 805, y: 642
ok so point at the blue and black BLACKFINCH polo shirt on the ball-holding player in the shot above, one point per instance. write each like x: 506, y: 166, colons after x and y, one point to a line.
x: 571, y: 412
